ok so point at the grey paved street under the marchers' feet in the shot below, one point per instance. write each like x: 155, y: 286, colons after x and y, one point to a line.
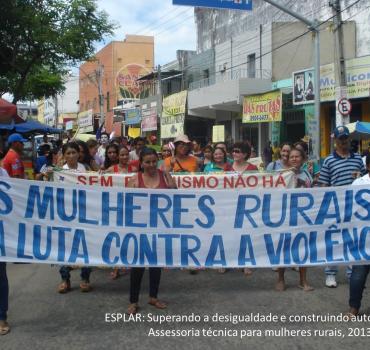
x: 43, y: 319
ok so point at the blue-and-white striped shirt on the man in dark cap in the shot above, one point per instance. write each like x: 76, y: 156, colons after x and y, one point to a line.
x: 338, y: 171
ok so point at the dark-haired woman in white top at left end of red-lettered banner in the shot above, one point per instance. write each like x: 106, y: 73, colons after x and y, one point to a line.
x: 71, y: 153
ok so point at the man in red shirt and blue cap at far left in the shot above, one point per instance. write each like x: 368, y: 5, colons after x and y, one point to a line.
x: 12, y: 162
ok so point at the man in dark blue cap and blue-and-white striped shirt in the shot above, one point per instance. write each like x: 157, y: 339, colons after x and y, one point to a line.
x: 340, y: 168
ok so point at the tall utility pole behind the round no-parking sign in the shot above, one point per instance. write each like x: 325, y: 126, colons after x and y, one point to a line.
x: 340, y: 66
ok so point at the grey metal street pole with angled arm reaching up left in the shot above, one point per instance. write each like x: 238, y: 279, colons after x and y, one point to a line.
x: 314, y: 27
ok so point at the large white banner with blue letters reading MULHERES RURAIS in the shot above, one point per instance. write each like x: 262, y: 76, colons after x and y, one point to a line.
x: 54, y: 223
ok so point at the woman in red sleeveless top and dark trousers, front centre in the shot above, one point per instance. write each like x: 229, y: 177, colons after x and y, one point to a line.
x: 148, y: 177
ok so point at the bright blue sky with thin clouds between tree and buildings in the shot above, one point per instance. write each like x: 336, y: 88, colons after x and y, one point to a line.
x: 172, y: 26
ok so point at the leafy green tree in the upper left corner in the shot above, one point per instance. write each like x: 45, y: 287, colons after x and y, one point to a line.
x: 40, y: 39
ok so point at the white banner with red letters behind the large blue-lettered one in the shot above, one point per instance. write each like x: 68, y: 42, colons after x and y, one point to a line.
x: 251, y: 180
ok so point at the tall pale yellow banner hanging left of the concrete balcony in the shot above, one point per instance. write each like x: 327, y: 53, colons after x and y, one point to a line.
x: 173, y: 115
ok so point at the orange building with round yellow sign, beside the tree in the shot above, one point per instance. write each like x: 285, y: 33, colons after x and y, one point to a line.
x: 109, y: 79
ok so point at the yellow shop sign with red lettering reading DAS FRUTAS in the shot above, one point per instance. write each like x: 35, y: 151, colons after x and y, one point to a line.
x: 263, y: 108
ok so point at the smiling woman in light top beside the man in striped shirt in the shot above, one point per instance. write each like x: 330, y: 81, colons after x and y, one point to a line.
x: 297, y: 158
